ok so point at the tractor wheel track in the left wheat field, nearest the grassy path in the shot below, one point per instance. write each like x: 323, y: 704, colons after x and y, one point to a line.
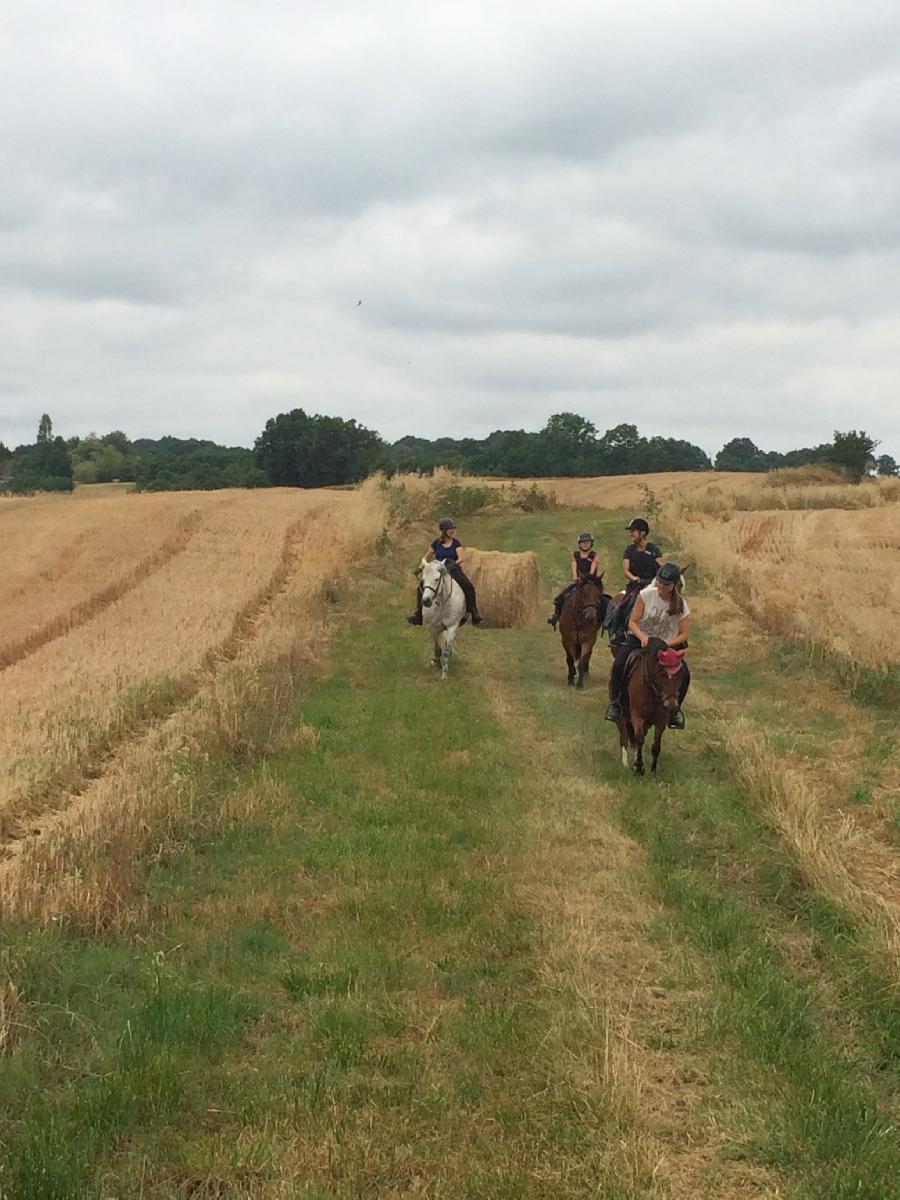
x: 148, y: 709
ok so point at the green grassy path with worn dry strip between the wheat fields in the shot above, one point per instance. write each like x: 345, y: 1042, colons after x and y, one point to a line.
x: 440, y: 947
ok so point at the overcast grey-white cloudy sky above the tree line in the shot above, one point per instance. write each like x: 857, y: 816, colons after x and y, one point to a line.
x: 446, y: 219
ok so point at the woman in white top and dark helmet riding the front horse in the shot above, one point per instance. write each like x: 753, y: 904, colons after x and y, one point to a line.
x: 661, y: 611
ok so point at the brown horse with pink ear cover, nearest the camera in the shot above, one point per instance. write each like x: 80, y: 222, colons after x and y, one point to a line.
x: 653, y: 681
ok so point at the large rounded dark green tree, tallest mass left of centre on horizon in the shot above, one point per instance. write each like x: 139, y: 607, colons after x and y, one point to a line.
x: 299, y: 451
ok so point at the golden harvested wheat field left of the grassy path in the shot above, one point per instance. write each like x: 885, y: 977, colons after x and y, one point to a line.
x: 127, y: 619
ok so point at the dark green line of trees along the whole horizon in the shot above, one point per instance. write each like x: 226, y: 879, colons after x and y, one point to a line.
x: 298, y: 449
